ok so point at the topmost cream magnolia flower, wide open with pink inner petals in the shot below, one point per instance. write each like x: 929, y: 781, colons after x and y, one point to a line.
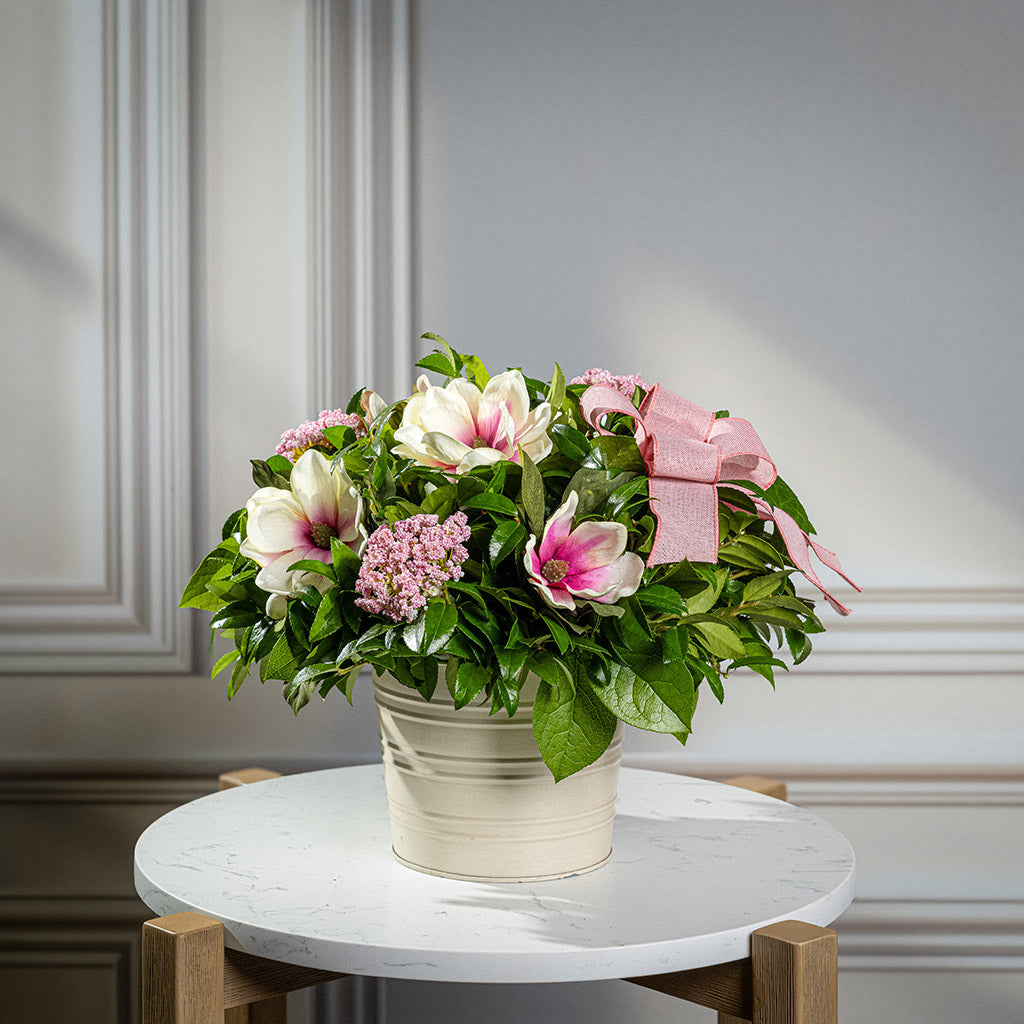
x: 458, y: 428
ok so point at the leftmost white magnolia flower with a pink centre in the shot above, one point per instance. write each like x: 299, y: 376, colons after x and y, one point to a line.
x: 284, y: 527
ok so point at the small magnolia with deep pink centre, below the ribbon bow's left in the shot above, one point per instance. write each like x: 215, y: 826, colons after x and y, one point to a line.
x: 590, y: 563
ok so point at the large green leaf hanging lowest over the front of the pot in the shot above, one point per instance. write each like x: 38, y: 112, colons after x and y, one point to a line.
x: 572, y: 728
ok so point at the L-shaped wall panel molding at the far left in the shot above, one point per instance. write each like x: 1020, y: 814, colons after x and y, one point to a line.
x: 129, y: 625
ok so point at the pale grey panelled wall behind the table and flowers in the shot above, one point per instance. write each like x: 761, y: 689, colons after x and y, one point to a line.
x: 809, y: 214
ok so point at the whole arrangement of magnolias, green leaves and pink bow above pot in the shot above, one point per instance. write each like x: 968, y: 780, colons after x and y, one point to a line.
x: 622, y: 544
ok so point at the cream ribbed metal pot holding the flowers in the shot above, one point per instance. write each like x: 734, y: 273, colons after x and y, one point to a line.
x: 472, y: 798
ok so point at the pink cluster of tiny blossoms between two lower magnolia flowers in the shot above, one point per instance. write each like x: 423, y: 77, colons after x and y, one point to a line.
x: 406, y: 565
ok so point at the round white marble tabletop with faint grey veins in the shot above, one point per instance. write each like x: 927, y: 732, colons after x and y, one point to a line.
x: 300, y: 870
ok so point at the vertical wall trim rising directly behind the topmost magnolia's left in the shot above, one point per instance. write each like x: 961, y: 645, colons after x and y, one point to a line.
x: 361, y: 222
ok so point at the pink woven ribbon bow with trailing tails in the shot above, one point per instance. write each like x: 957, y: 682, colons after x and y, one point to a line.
x: 688, y: 452
